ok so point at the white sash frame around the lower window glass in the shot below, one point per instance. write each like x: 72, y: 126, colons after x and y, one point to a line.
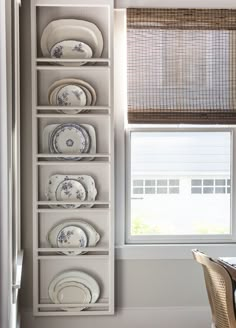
x: 180, y: 239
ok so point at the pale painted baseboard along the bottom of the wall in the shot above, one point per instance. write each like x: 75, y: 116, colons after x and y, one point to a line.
x: 148, y: 317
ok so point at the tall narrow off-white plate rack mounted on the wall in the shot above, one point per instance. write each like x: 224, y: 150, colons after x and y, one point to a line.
x: 99, y: 260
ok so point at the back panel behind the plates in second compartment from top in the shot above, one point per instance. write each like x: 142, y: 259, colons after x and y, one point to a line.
x: 93, y: 75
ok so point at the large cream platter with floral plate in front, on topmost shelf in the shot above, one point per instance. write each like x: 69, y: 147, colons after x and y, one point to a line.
x: 71, y: 39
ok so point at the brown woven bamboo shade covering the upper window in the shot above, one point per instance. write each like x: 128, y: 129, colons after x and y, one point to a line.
x: 181, y: 66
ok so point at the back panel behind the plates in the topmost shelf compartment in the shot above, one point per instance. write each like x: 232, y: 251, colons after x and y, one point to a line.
x: 99, y: 15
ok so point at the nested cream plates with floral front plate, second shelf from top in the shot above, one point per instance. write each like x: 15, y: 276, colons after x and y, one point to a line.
x: 71, y: 92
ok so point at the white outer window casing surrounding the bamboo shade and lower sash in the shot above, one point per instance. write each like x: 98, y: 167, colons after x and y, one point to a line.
x: 163, y: 251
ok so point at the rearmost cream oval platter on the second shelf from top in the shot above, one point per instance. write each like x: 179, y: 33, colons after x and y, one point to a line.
x: 80, y: 83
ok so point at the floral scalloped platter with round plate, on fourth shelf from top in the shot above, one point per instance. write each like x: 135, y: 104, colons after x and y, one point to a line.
x: 71, y: 188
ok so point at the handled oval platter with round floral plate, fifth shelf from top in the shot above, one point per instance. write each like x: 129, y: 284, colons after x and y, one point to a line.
x: 74, y: 234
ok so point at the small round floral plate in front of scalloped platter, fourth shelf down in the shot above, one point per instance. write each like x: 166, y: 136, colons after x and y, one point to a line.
x: 71, y: 191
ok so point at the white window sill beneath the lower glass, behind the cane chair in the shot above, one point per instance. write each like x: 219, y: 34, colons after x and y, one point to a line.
x: 172, y: 251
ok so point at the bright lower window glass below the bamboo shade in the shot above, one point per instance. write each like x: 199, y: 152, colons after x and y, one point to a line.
x: 192, y: 206
